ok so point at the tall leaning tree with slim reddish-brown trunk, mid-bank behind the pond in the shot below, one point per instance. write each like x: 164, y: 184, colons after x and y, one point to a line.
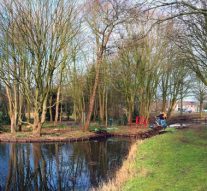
x: 102, y: 18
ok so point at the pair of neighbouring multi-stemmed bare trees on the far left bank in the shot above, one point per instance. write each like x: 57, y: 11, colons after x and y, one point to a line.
x: 35, y: 41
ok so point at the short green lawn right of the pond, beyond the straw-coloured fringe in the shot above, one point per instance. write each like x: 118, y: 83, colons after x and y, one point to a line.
x: 174, y: 161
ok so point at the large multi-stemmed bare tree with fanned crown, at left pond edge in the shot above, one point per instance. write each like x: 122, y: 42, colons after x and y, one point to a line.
x: 43, y: 30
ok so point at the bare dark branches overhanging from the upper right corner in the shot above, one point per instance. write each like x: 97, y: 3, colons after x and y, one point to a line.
x: 191, y: 16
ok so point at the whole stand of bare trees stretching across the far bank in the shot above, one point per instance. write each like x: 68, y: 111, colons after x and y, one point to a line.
x: 100, y: 59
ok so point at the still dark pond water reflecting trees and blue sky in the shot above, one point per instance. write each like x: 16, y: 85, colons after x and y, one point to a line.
x: 60, y: 166
